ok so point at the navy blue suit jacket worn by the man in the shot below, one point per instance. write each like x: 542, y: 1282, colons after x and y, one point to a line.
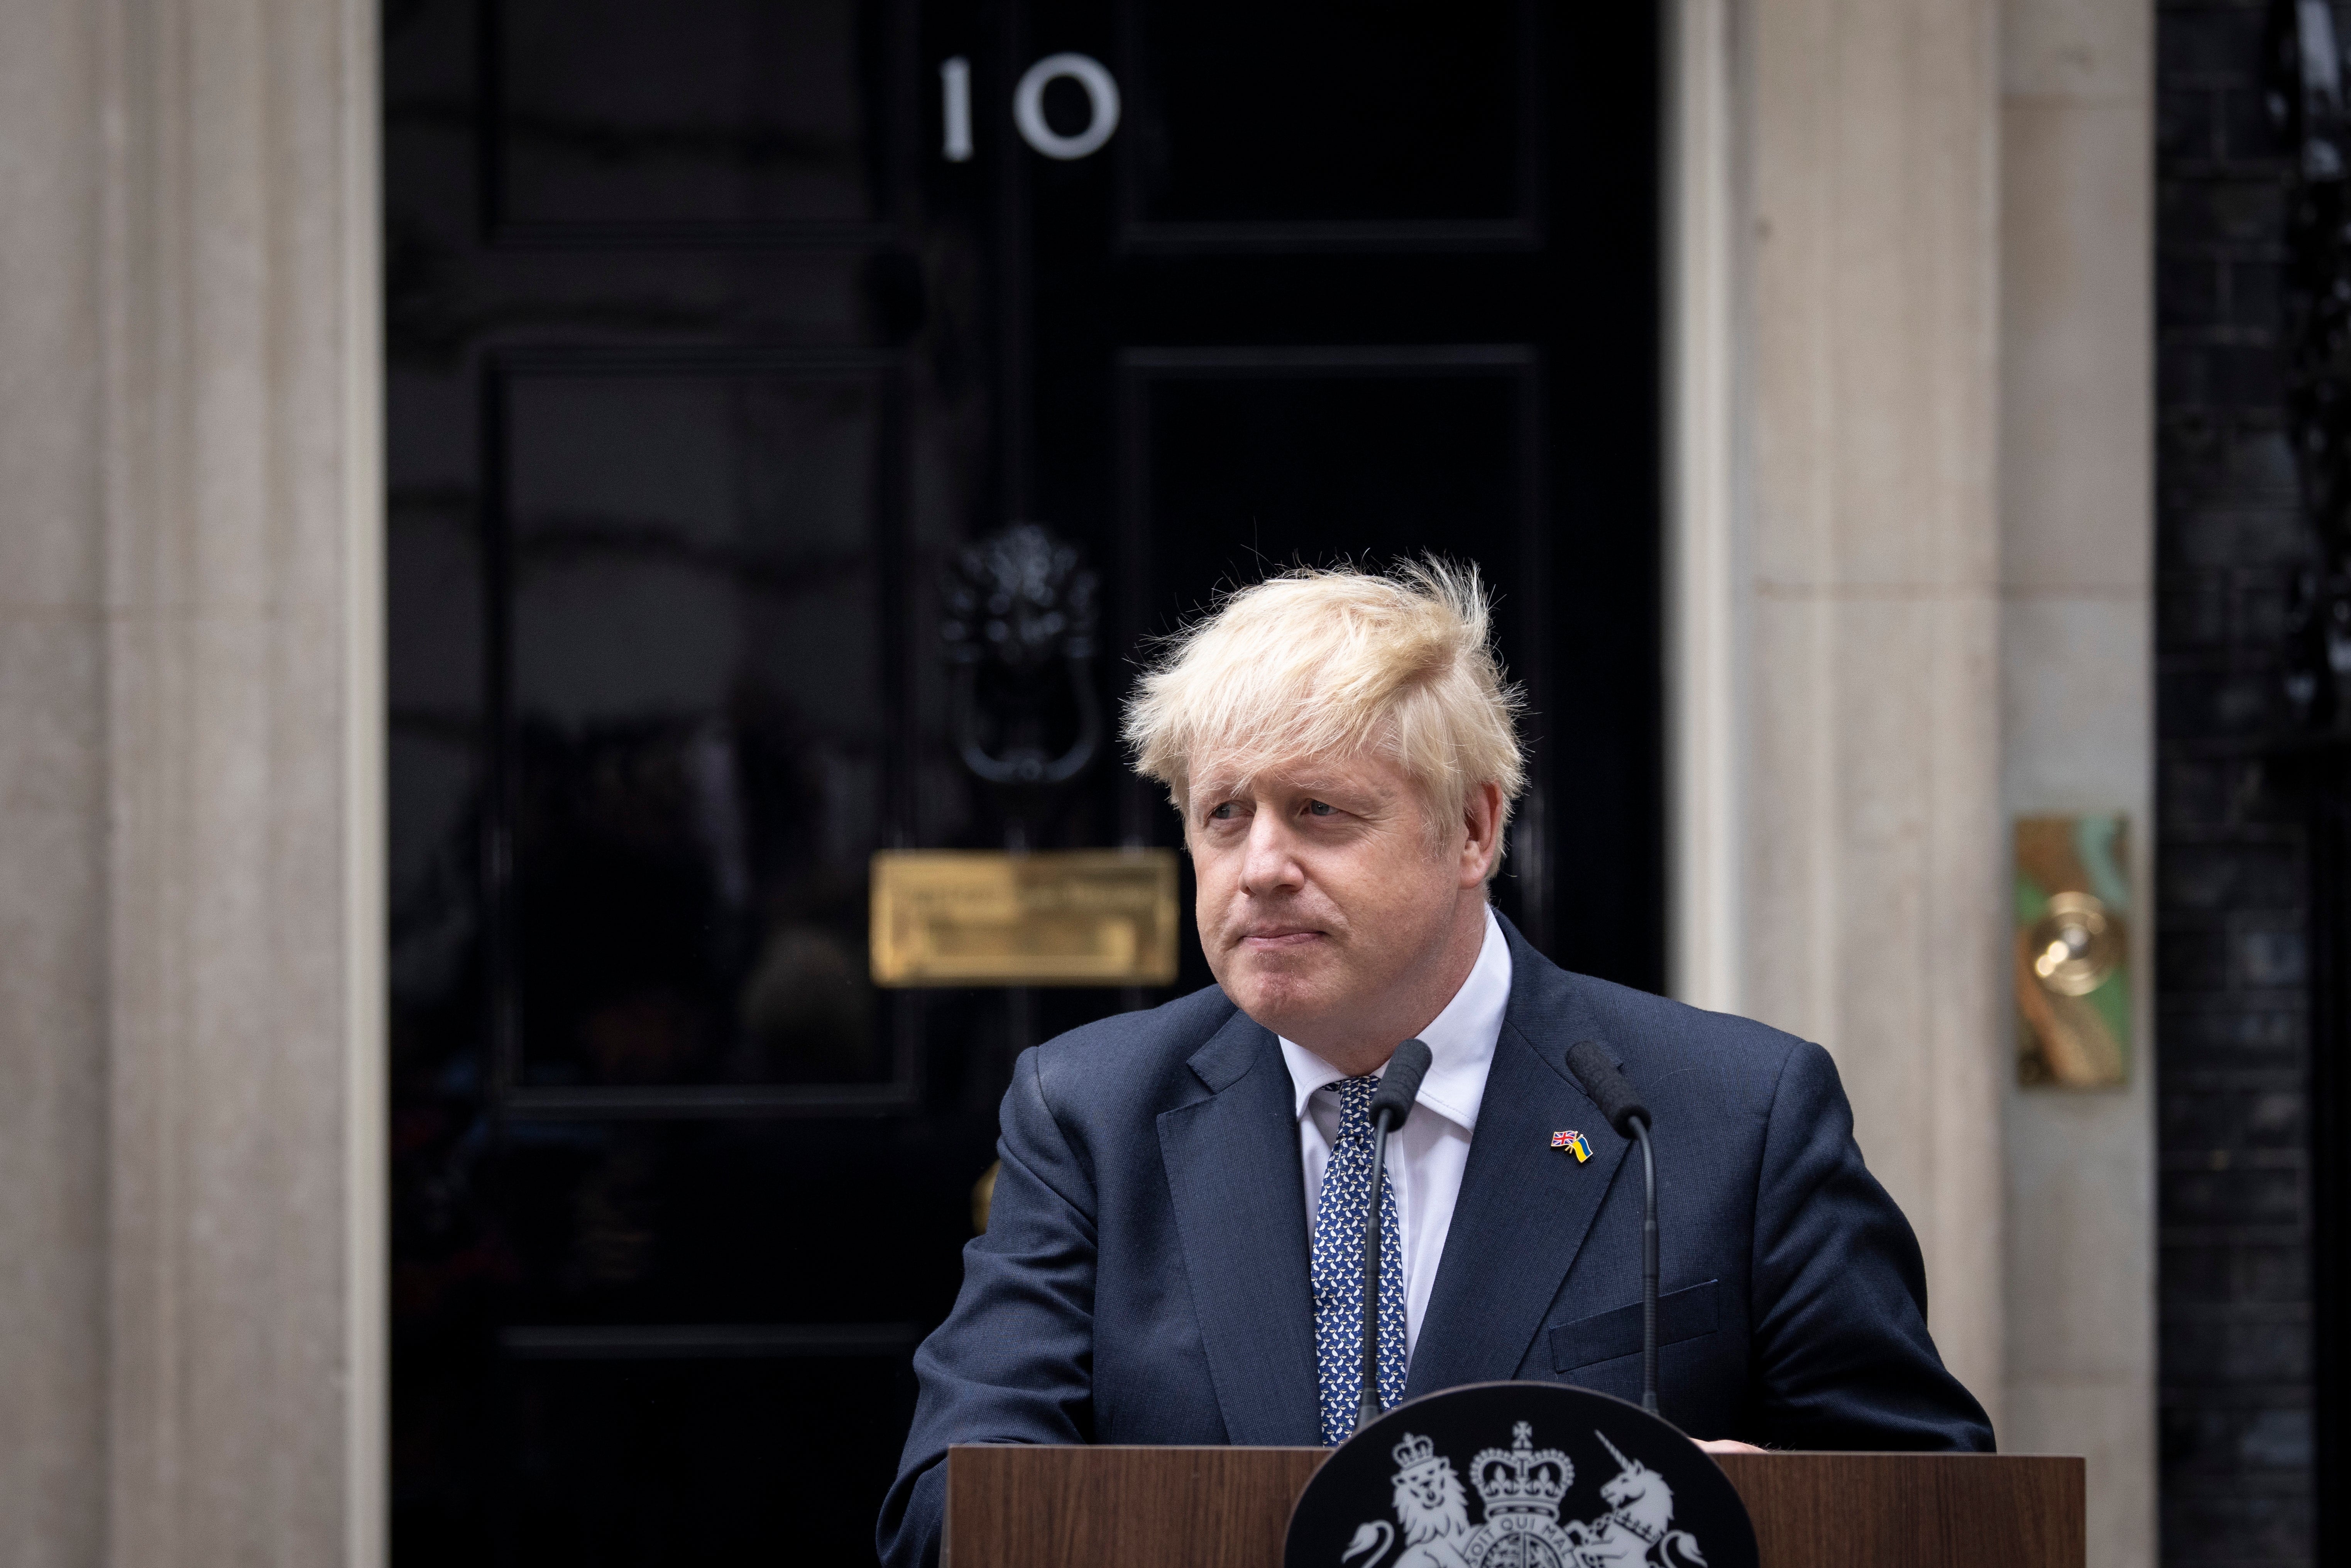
x: 1144, y: 1278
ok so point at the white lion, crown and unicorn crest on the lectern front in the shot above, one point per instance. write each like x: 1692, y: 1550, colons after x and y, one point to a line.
x: 1522, y: 1492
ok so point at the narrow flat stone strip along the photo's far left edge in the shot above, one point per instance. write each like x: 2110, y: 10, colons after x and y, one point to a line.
x: 53, y: 798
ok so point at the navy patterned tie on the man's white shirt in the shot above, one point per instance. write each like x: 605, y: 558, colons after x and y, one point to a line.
x: 1339, y: 1271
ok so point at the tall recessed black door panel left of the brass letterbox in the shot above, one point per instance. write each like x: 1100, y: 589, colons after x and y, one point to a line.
x: 699, y: 554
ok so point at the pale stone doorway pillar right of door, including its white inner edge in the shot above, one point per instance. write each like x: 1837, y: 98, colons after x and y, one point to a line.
x: 1835, y: 478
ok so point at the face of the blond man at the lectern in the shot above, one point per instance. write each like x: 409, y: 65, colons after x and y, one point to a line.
x: 1322, y: 909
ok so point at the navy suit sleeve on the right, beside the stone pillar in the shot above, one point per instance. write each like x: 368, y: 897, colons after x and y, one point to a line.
x: 1842, y: 1353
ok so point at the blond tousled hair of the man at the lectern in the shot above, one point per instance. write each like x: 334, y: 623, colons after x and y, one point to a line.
x: 1341, y: 662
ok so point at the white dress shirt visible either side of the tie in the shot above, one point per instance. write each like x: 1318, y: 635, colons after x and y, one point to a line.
x: 1426, y: 1158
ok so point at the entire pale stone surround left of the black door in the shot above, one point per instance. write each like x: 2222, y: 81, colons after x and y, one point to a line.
x: 192, y: 1148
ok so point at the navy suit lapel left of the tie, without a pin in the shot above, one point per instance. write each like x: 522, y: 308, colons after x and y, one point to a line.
x: 1240, y: 1209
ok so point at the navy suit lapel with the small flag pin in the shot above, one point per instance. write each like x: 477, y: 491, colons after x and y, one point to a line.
x: 1525, y: 1207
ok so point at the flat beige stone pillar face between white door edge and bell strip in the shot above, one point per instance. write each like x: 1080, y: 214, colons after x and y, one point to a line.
x: 1875, y: 831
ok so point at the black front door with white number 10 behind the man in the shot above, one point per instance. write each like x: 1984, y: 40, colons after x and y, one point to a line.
x: 718, y: 330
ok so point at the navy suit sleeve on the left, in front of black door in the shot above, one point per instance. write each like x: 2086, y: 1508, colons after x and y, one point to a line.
x: 1014, y: 1362
